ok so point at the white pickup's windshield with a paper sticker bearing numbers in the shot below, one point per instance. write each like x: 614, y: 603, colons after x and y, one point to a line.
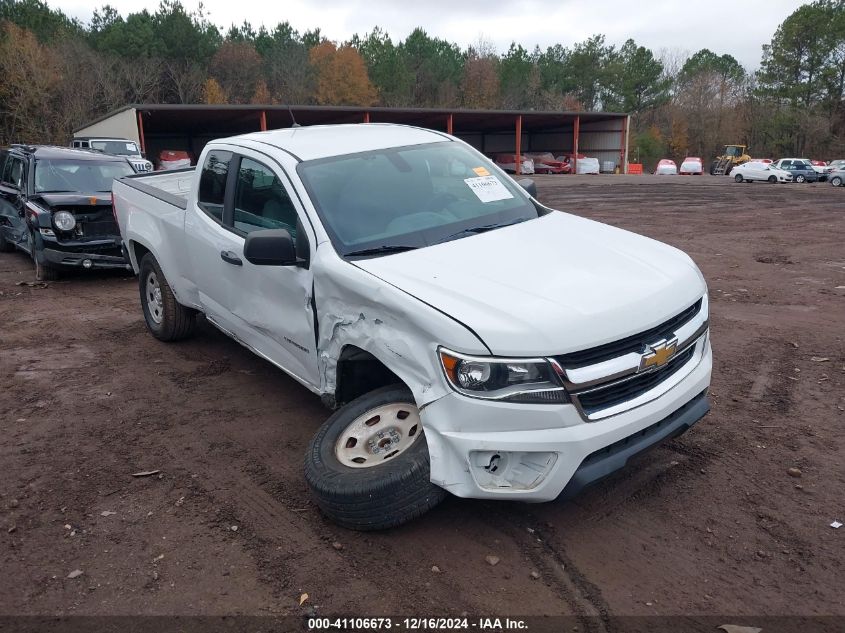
x: 387, y: 201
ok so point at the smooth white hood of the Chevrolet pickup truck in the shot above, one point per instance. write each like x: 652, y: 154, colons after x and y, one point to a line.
x: 553, y: 285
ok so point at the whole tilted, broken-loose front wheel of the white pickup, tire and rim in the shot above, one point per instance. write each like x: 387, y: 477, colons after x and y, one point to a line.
x: 368, y: 465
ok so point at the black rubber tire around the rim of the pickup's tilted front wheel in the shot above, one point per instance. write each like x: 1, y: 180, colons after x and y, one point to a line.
x: 378, y: 497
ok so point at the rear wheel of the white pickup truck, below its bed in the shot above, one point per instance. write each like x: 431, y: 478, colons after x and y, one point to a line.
x: 170, y: 320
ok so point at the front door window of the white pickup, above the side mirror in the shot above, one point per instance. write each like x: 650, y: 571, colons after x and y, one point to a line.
x: 261, y: 201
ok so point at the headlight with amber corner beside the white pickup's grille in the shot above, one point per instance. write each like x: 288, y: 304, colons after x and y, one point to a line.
x: 510, y: 379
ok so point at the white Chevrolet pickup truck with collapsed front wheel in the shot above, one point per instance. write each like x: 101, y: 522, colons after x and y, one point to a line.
x: 471, y: 340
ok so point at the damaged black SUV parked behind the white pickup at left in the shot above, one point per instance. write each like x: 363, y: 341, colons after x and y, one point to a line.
x: 55, y: 204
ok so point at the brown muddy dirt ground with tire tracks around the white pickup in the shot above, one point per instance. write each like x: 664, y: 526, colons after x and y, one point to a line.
x: 709, y: 523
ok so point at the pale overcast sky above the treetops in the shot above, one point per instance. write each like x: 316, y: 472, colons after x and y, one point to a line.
x: 737, y: 27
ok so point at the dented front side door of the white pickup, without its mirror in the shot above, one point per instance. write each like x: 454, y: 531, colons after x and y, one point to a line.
x: 268, y: 308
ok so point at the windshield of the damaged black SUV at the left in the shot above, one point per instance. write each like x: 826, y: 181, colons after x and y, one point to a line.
x: 85, y: 176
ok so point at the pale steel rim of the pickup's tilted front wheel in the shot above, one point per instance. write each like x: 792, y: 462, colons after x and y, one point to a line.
x: 379, y: 435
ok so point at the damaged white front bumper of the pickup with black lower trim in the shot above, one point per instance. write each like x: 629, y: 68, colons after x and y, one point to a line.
x: 486, y: 449
